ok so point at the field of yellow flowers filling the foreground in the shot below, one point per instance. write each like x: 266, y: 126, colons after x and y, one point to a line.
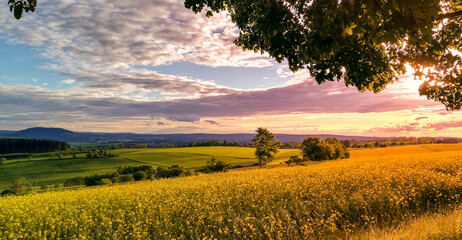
x: 377, y: 194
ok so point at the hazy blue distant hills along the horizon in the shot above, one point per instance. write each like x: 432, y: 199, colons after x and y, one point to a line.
x: 92, y: 137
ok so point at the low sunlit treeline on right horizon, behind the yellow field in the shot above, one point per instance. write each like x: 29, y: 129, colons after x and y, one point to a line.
x: 398, y: 141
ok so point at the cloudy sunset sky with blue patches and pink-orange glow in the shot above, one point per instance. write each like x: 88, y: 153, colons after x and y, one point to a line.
x: 149, y: 66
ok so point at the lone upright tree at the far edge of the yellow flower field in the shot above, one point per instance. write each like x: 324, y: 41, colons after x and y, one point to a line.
x: 266, y: 144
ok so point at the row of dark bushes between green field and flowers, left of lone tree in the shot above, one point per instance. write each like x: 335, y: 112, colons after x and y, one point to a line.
x: 130, y: 174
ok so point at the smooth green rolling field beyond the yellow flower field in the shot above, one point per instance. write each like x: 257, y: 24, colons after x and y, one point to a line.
x: 42, y: 169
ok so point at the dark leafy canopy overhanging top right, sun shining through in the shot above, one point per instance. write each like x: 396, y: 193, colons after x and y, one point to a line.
x: 366, y: 43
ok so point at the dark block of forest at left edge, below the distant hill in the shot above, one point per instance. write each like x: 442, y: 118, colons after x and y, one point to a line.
x: 24, y: 145
